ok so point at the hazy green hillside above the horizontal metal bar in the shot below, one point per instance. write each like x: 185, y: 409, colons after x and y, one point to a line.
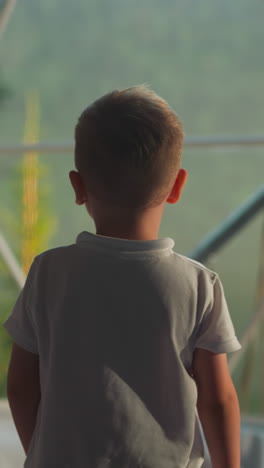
x: 206, y: 58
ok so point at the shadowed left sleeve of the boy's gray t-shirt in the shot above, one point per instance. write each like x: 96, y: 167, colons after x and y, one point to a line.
x: 20, y: 324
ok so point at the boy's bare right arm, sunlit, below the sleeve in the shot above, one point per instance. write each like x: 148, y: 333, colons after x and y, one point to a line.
x: 218, y: 408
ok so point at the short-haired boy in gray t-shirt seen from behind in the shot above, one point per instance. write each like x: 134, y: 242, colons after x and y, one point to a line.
x: 117, y: 338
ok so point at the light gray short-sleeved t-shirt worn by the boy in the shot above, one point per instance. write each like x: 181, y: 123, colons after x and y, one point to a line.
x: 115, y: 323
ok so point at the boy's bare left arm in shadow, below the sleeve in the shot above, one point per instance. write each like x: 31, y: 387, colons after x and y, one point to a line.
x: 23, y: 392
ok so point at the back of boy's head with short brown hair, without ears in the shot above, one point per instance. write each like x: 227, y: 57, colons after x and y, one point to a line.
x: 128, y: 148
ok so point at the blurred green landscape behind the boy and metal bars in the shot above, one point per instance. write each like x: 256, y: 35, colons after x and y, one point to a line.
x: 205, y: 58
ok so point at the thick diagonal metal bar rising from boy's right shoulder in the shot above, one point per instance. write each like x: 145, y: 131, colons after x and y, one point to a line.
x: 233, y: 223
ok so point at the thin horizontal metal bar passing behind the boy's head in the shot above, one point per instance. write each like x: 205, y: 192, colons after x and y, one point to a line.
x: 189, y: 142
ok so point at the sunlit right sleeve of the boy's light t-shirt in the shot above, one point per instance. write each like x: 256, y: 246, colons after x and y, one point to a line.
x: 216, y: 331
